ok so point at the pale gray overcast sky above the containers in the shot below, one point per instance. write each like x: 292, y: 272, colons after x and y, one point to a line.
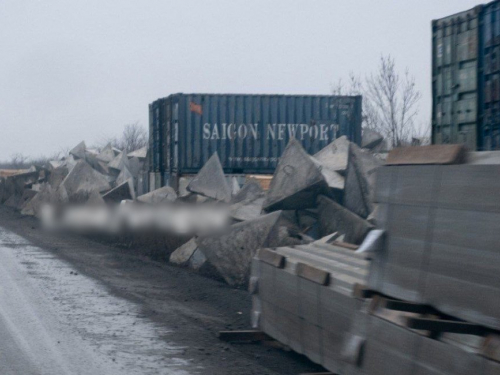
x: 82, y: 69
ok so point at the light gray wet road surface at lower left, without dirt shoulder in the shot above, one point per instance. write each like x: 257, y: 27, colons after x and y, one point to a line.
x: 55, y: 321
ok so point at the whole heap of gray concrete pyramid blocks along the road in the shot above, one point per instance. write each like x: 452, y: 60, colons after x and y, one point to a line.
x: 306, y: 200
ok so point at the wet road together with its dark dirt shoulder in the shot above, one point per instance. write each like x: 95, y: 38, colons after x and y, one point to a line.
x: 71, y: 304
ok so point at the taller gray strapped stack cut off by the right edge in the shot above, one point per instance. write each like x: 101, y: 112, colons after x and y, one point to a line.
x: 443, y: 244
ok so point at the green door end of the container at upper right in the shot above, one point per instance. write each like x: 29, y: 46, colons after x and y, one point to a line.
x: 455, y: 113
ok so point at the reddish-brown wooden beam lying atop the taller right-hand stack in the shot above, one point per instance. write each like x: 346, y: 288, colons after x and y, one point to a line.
x: 434, y: 154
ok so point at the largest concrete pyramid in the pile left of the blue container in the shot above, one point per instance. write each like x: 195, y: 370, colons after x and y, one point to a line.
x: 83, y: 179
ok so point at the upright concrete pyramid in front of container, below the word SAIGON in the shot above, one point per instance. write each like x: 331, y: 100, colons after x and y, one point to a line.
x: 210, y: 181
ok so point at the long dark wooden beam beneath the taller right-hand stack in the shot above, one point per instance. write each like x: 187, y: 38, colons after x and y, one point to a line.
x: 437, y: 325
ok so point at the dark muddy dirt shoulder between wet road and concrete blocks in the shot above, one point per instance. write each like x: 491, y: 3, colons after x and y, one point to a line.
x: 193, y: 306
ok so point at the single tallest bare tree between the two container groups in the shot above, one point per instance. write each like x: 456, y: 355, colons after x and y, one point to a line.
x: 394, y: 101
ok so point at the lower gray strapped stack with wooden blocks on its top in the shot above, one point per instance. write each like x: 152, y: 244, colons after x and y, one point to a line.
x: 303, y: 297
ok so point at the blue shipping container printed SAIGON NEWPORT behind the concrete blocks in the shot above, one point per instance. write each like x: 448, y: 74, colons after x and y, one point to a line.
x: 249, y: 132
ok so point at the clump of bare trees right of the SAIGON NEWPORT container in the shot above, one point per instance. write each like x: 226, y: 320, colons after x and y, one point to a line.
x: 390, y: 102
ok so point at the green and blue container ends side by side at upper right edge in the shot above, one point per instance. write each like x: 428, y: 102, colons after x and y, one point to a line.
x: 466, y: 78
